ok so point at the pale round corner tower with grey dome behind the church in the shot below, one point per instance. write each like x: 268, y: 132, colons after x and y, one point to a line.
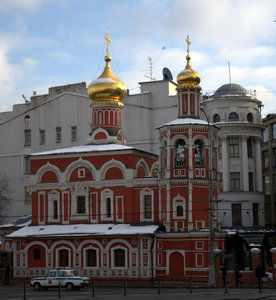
x: 238, y: 116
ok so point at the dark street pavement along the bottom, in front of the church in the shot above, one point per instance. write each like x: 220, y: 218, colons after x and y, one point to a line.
x: 16, y: 292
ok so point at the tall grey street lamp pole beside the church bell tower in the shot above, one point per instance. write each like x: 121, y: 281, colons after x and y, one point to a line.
x: 211, y: 277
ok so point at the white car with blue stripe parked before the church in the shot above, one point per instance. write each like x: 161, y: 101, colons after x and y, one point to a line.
x: 64, y: 278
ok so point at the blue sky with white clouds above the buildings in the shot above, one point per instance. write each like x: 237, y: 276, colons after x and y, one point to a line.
x: 45, y: 43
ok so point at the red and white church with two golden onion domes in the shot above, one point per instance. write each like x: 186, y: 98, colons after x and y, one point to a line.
x: 110, y: 211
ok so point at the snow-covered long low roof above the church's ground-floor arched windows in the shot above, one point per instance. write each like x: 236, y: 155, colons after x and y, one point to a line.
x: 82, y: 230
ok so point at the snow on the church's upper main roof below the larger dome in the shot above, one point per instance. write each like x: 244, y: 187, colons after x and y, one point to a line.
x: 85, y: 148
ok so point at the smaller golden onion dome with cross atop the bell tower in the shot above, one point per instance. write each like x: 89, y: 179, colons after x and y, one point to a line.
x: 188, y: 77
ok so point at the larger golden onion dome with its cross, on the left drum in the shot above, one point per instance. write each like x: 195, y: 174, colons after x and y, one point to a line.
x: 107, y: 88
